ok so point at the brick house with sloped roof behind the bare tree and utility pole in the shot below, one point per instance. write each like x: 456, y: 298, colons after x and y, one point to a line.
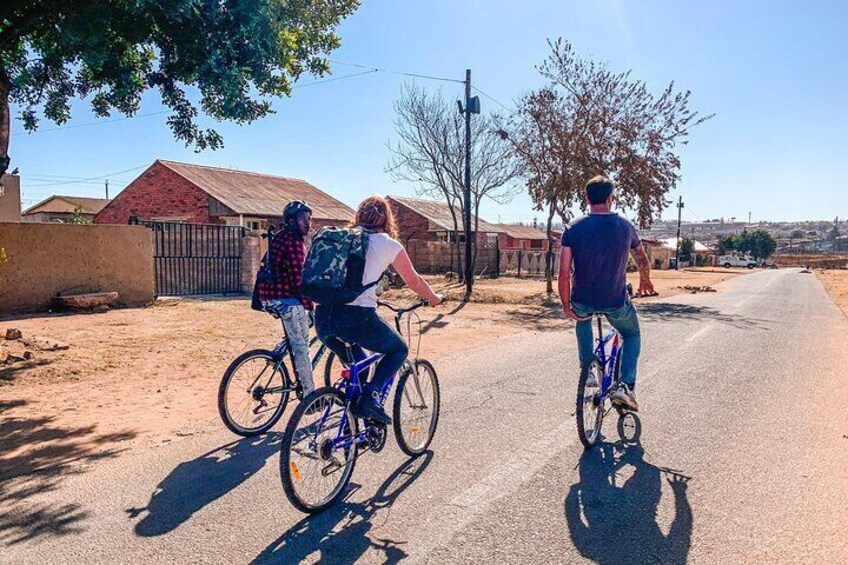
x: 430, y: 220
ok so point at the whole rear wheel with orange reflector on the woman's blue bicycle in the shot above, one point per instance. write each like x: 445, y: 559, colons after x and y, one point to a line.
x: 314, y: 469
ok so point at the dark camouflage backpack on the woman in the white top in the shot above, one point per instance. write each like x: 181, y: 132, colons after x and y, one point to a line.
x: 334, y: 265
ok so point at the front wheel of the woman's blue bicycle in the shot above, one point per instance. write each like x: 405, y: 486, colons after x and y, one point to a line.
x: 416, y: 409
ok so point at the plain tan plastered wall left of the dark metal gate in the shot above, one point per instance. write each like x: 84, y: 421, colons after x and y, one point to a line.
x: 39, y: 261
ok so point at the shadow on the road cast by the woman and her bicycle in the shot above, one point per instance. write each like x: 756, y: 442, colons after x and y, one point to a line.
x: 340, y: 534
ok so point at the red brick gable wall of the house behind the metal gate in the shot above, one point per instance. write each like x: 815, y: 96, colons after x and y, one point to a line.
x: 158, y: 193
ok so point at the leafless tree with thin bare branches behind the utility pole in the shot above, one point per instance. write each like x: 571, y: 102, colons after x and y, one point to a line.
x: 430, y: 153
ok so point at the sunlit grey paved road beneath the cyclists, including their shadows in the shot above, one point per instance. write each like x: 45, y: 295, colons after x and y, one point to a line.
x: 743, y: 459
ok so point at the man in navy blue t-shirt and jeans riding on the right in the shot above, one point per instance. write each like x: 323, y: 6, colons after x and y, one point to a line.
x: 598, y: 246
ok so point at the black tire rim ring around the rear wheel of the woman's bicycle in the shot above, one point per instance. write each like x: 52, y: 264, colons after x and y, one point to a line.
x: 286, y: 470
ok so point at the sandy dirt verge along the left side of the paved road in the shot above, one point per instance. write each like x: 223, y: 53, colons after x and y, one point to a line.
x: 149, y: 375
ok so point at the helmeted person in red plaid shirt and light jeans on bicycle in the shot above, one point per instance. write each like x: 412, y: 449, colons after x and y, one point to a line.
x: 286, y: 254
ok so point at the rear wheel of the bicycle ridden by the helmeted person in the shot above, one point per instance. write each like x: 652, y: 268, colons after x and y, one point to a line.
x: 253, y: 393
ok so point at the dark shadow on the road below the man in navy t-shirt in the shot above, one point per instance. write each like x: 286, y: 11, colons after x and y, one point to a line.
x: 612, y: 511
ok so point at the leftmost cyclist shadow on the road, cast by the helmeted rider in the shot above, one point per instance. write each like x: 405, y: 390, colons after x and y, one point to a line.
x: 192, y: 485
